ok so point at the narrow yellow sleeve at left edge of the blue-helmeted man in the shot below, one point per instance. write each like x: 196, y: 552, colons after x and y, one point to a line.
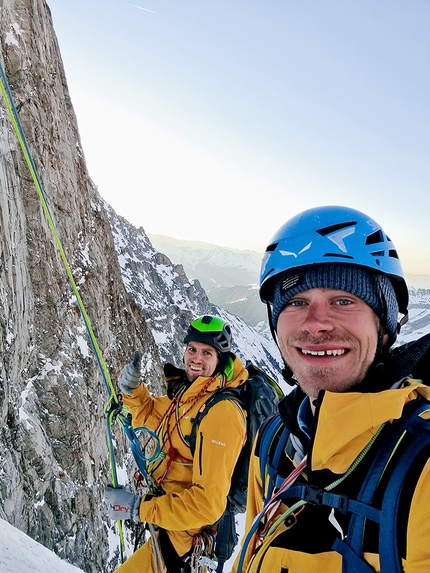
x: 254, y: 505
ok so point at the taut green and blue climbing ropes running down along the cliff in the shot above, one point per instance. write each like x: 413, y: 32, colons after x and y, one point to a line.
x: 114, y: 409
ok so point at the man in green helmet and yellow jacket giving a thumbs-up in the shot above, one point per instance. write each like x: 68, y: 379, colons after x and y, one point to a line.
x: 190, y: 492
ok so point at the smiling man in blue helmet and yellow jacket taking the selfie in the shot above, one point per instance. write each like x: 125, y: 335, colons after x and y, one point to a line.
x: 340, y: 480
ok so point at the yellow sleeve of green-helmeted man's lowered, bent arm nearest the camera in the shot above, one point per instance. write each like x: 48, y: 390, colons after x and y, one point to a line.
x: 220, y: 438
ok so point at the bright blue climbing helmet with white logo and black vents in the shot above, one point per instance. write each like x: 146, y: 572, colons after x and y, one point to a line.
x: 332, y: 234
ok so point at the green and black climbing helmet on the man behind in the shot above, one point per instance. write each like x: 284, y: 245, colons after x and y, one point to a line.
x: 211, y: 330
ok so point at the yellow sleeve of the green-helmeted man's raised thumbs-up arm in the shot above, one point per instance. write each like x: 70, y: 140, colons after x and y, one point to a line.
x: 145, y: 409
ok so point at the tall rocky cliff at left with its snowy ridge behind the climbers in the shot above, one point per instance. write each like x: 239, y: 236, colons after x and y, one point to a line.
x: 53, y: 452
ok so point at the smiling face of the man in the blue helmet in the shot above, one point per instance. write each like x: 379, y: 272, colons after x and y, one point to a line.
x: 328, y: 338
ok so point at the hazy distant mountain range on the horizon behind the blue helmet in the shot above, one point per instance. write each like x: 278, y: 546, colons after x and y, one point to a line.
x: 230, y: 278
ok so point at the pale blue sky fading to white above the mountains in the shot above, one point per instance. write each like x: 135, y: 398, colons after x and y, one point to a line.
x: 218, y: 120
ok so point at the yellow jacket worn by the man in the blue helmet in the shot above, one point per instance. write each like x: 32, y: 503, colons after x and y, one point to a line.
x: 346, y: 423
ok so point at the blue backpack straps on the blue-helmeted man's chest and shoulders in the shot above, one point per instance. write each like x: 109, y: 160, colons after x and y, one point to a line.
x: 415, y: 447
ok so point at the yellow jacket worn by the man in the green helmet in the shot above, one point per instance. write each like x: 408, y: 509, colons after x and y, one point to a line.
x: 195, y: 489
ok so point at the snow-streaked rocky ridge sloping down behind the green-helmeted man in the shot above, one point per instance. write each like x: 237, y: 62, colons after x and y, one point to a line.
x: 169, y: 300
